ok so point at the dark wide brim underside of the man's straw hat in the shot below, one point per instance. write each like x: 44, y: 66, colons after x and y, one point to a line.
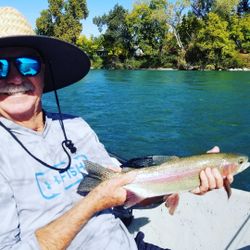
x: 68, y: 63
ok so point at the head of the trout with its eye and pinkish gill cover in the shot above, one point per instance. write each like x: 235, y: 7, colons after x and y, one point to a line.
x: 234, y: 164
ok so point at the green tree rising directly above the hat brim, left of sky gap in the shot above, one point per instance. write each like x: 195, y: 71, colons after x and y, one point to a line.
x: 62, y: 19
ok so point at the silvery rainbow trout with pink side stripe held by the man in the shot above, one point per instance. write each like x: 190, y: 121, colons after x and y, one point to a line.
x: 177, y: 174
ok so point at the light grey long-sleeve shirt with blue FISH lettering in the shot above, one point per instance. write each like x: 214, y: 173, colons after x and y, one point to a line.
x: 32, y: 195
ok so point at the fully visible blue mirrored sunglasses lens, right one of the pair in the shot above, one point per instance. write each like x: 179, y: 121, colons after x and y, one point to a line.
x: 28, y: 66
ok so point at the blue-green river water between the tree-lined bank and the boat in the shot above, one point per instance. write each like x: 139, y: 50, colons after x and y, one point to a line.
x: 137, y: 113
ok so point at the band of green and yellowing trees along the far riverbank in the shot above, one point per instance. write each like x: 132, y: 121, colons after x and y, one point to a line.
x: 183, y: 34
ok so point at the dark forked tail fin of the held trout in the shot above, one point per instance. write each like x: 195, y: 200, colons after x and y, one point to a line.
x: 96, y: 174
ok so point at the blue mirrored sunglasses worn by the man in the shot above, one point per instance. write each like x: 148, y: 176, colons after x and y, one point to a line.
x: 26, y: 66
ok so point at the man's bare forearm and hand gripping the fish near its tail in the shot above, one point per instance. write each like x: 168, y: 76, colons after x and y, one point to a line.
x: 107, y: 194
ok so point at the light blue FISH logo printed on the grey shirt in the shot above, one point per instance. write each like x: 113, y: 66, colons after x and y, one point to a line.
x: 51, y: 183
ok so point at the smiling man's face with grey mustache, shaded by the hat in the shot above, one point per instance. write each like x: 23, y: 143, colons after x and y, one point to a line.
x: 20, y: 96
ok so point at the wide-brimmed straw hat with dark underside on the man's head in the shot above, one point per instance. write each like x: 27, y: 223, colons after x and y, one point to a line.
x: 68, y: 63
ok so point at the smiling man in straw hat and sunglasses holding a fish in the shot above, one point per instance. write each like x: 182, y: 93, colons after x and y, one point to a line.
x: 42, y: 153
